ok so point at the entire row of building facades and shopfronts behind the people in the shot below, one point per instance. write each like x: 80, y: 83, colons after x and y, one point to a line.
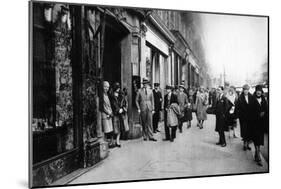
x: 74, y: 48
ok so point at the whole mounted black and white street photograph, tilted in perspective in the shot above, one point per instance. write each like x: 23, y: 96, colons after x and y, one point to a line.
x: 125, y: 94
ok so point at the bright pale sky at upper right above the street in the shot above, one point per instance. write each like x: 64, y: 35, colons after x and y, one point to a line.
x: 238, y: 43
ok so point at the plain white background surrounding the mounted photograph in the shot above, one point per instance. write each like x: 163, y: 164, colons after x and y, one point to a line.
x: 14, y: 92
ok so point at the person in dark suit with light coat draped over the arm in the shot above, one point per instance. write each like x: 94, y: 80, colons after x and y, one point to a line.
x: 172, y: 117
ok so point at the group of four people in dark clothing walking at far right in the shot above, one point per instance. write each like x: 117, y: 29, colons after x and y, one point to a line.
x: 250, y: 109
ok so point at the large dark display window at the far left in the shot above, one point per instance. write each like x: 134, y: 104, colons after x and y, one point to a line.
x: 52, y: 119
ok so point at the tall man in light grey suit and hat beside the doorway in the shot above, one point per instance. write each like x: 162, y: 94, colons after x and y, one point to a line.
x: 145, y: 105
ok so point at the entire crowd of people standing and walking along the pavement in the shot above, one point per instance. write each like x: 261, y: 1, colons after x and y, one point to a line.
x: 178, y: 103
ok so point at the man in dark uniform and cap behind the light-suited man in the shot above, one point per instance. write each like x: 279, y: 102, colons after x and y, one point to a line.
x: 158, y: 106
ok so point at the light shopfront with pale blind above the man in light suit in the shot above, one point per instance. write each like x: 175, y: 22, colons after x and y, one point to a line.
x: 158, y: 52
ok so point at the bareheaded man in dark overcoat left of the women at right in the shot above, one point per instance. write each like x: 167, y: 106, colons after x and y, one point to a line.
x: 222, y: 107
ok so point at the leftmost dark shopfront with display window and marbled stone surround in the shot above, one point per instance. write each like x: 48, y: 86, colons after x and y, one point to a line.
x: 55, y: 133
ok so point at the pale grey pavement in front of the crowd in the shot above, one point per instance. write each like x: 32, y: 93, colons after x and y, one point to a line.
x: 193, y: 153
